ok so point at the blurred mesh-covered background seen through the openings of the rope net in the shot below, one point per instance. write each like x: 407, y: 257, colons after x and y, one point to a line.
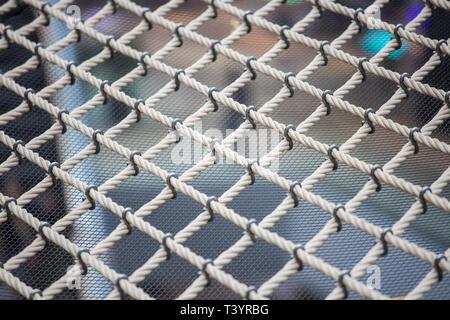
x: 399, y: 271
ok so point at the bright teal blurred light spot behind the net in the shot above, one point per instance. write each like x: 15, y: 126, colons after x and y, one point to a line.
x: 374, y: 40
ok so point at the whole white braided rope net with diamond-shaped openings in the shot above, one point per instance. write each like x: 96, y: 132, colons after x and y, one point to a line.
x: 261, y: 230
